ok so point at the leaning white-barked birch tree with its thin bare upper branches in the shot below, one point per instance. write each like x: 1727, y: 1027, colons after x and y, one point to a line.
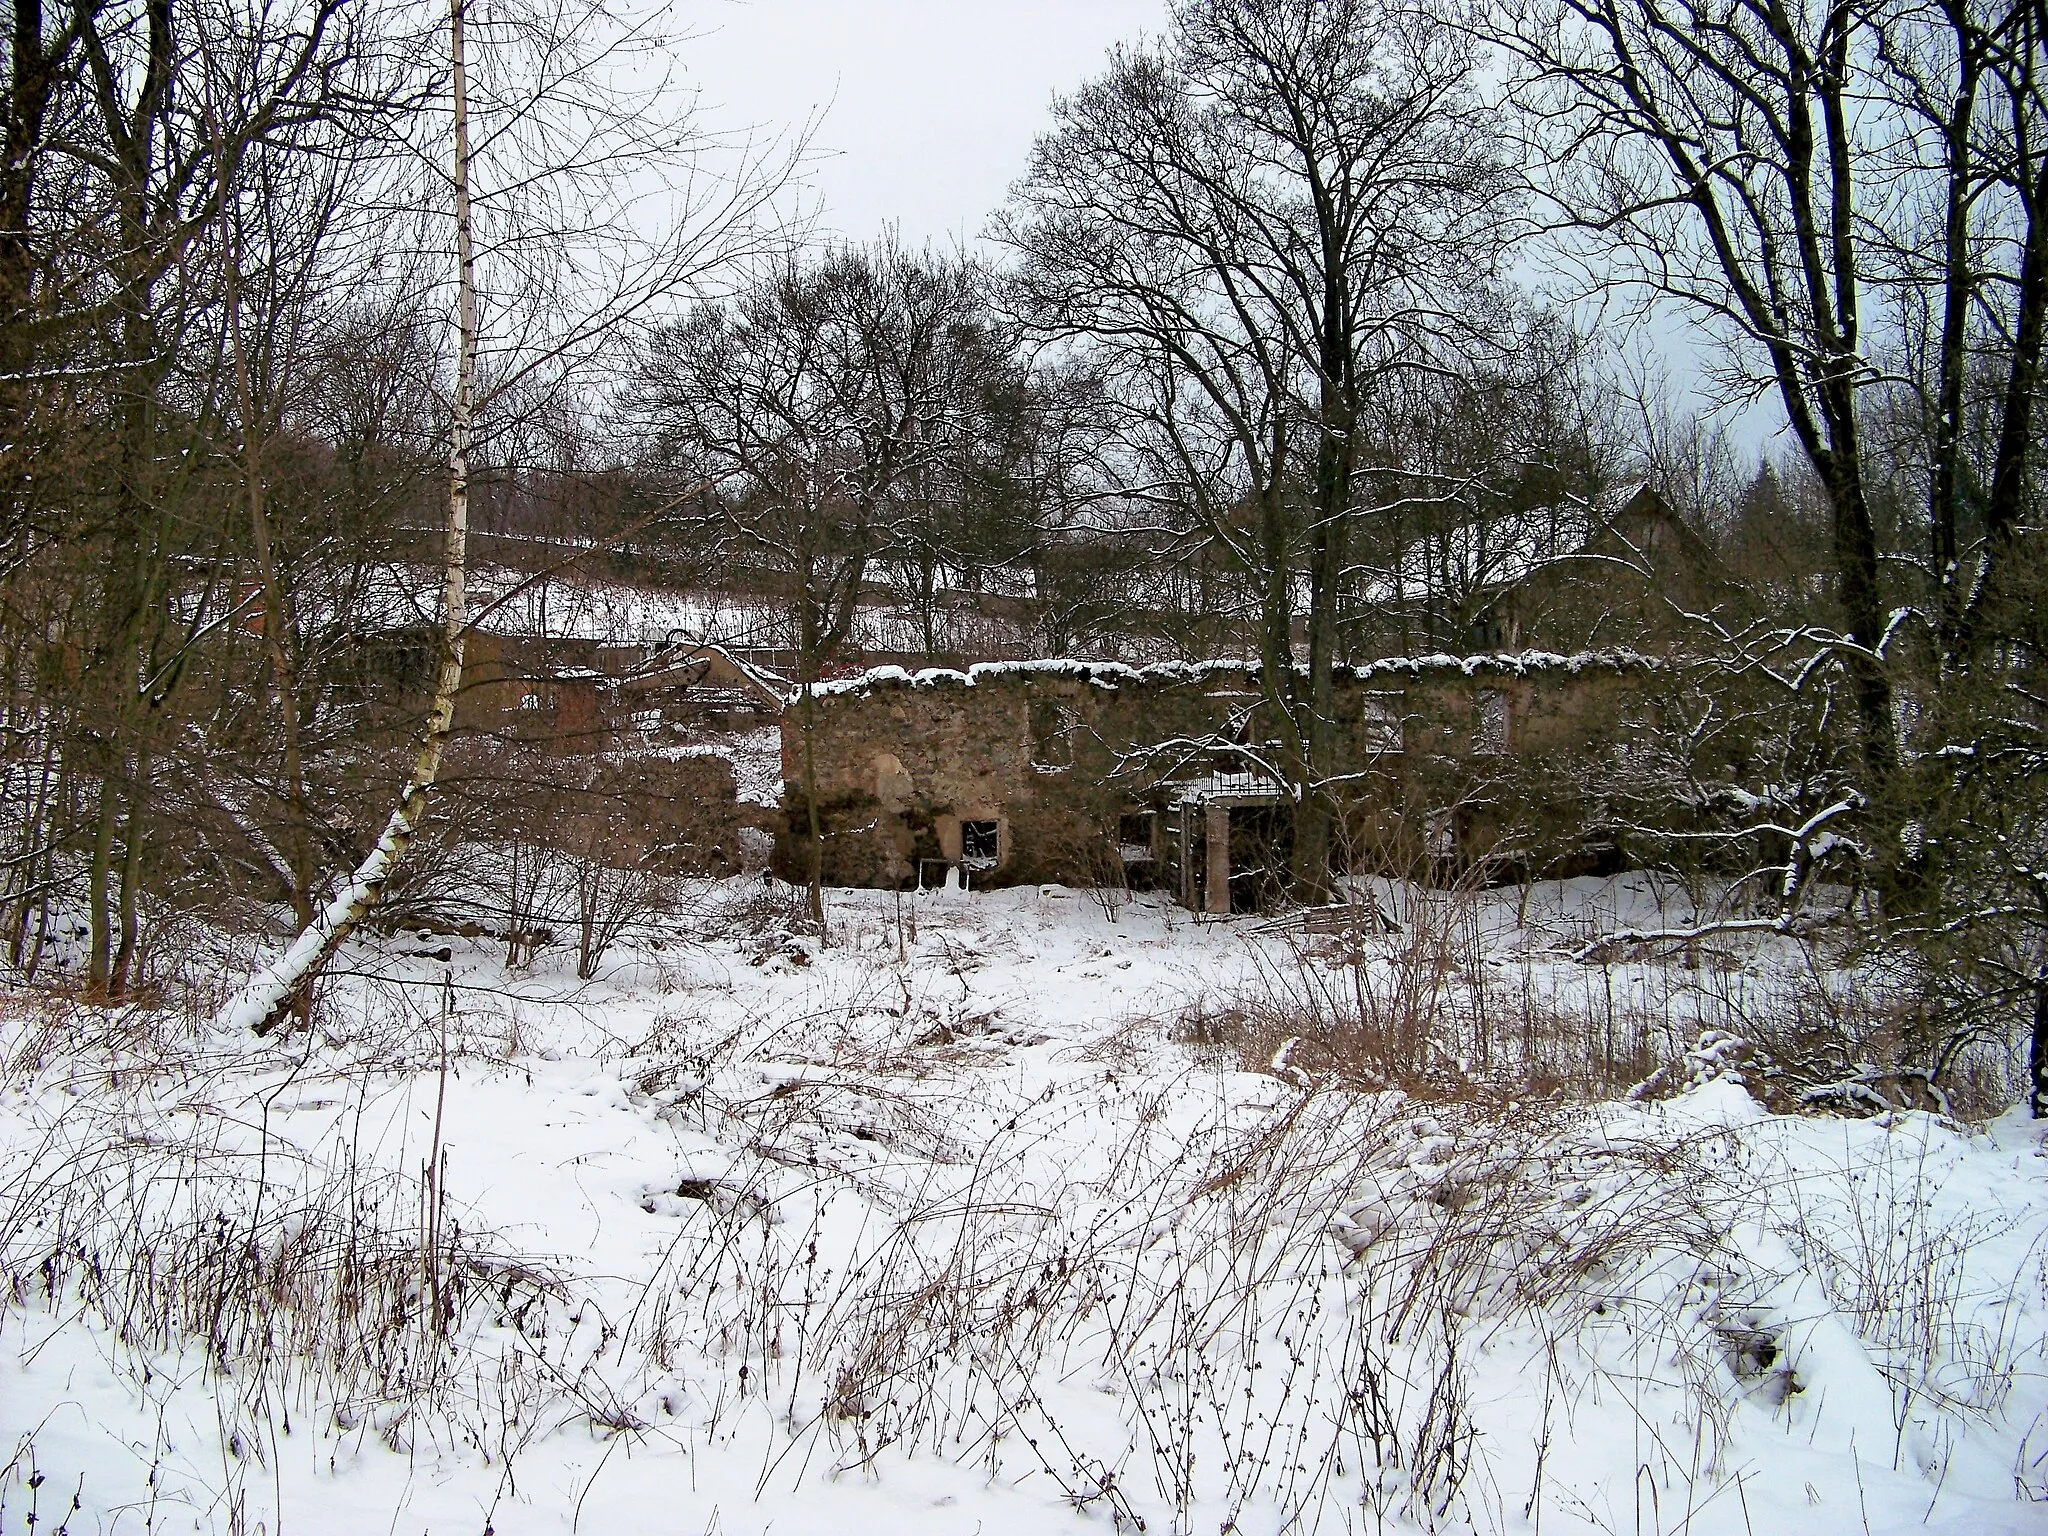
x: 554, y: 265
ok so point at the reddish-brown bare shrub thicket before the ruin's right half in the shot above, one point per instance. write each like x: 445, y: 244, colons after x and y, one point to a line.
x: 1457, y: 992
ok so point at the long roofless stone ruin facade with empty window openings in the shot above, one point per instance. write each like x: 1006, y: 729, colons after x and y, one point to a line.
x: 1076, y: 773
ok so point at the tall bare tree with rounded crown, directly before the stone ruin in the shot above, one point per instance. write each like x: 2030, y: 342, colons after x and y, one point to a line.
x: 1256, y: 224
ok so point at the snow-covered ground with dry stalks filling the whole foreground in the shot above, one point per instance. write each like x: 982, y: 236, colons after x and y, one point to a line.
x: 974, y: 1220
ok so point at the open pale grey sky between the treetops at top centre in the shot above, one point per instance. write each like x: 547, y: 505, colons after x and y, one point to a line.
x: 927, y: 108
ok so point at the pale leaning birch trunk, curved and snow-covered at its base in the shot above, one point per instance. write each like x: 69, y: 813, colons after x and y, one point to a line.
x: 269, y: 994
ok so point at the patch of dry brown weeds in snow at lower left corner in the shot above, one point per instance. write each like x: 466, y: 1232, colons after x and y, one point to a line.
x: 296, y: 1279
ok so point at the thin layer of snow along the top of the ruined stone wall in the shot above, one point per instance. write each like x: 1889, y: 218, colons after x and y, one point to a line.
x: 1115, y: 675
